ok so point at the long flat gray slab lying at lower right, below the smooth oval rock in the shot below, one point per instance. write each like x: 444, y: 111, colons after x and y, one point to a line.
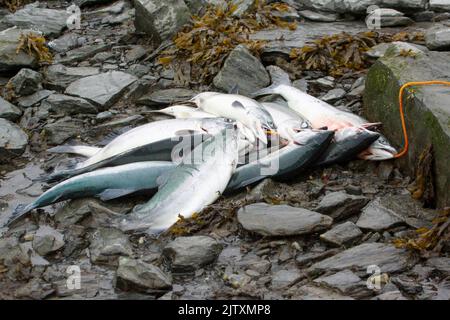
x: 388, y: 258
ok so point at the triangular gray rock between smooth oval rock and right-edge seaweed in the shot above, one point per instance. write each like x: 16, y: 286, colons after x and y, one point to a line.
x: 376, y: 217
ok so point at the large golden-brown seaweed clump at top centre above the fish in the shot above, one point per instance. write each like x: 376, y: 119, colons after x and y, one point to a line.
x: 212, y: 36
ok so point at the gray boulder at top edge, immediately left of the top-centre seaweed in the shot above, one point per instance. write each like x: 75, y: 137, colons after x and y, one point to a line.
x: 161, y: 19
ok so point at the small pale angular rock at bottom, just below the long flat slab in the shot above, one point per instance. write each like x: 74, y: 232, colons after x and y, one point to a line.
x: 347, y: 283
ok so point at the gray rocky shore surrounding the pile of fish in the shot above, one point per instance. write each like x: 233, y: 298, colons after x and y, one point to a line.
x: 335, y: 233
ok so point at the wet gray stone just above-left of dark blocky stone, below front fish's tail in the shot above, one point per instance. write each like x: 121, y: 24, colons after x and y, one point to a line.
x: 107, y: 244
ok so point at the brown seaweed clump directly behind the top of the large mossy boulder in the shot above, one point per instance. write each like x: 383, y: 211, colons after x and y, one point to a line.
x: 342, y: 53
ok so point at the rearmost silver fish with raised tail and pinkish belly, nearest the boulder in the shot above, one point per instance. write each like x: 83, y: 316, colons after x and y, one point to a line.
x: 320, y: 114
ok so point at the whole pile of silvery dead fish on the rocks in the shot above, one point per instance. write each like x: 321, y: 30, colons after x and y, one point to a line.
x: 216, y: 143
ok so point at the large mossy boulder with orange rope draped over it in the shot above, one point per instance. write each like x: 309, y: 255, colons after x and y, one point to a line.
x: 427, y: 111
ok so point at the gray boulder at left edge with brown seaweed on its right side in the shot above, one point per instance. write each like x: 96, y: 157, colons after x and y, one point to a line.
x: 10, y: 60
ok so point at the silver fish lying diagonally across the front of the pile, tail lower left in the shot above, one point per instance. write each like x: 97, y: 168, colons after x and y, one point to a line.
x: 190, y: 187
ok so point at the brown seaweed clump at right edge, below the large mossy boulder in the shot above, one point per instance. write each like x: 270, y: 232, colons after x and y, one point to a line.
x: 429, y: 240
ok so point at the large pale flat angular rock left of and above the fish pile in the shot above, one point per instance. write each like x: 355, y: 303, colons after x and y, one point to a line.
x: 103, y: 89
